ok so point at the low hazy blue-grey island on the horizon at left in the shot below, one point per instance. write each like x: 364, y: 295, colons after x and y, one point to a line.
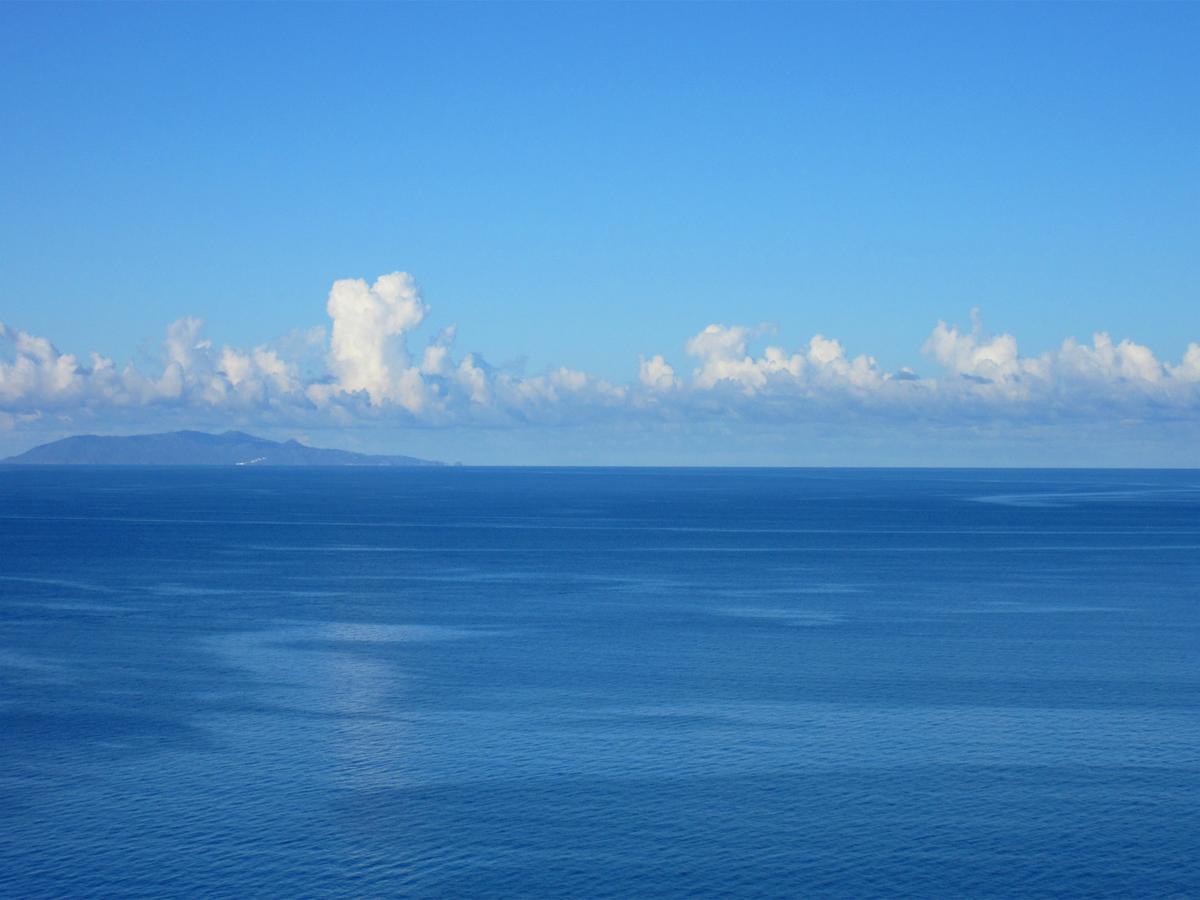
x: 195, y: 448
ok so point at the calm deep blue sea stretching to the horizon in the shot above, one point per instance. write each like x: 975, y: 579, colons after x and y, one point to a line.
x: 599, y: 683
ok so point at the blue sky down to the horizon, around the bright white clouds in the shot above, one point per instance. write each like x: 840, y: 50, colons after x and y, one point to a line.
x: 583, y: 185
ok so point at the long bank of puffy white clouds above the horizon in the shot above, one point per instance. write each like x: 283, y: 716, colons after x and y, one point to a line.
x: 362, y: 370
